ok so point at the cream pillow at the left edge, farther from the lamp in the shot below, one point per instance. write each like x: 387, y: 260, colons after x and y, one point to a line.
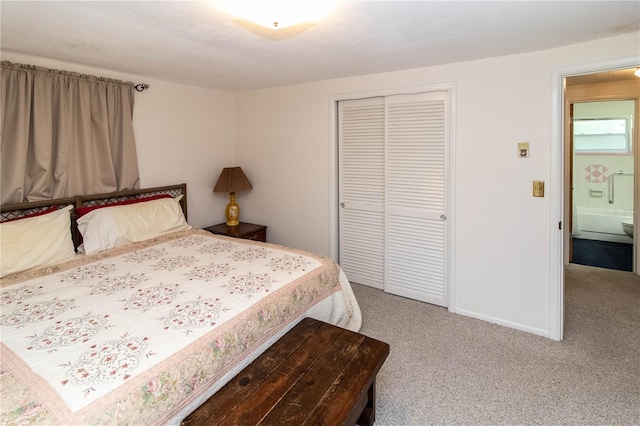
x: 36, y: 242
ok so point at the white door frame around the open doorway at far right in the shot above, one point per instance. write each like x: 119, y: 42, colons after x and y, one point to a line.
x: 558, y: 227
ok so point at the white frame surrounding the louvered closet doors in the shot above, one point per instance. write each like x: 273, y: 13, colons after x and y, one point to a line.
x: 334, y: 235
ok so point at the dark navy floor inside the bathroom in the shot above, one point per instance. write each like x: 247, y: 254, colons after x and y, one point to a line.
x: 603, y: 254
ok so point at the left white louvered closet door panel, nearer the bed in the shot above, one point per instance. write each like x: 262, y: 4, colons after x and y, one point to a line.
x: 361, y: 190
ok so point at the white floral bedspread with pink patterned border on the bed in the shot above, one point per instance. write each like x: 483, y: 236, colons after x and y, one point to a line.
x: 127, y: 336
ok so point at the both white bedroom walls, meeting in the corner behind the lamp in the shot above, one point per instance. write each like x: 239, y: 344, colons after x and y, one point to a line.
x: 282, y: 139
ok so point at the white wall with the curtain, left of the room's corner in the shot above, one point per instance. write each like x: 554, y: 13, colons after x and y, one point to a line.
x: 183, y: 134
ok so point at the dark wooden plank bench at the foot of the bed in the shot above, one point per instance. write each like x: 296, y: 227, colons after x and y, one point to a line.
x: 315, y: 374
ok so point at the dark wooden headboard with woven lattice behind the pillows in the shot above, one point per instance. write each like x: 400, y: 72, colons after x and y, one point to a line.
x: 16, y: 211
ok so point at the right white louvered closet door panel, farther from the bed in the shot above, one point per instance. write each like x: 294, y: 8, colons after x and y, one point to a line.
x: 415, y: 207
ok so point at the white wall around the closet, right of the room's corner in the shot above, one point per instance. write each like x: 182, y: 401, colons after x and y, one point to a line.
x: 502, y: 245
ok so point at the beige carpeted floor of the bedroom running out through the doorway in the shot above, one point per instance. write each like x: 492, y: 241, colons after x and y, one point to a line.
x: 453, y: 370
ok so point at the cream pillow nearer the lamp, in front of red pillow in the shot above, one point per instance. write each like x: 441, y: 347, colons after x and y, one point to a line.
x: 117, y: 226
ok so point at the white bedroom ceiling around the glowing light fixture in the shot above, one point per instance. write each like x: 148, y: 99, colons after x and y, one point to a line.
x: 191, y: 42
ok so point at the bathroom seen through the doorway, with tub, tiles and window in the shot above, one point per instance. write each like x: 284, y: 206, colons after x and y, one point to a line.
x: 601, y: 131
